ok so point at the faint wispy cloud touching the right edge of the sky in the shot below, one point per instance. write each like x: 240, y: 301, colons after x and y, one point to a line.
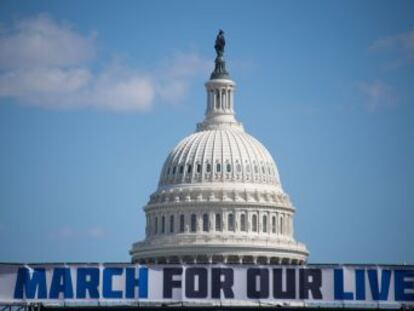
x: 402, y: 44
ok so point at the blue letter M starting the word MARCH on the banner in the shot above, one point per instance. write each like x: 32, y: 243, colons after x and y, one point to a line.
x: 29, y: 282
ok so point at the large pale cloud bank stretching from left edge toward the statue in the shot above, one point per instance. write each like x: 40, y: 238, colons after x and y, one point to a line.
x: 48, y: 64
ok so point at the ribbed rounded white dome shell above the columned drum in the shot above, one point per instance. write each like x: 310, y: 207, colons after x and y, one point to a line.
x: 219, y: 155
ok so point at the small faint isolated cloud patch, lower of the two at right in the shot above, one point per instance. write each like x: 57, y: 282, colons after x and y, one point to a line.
x: 377, y: 95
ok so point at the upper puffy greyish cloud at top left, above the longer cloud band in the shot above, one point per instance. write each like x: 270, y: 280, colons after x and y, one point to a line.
x: 39, y: 41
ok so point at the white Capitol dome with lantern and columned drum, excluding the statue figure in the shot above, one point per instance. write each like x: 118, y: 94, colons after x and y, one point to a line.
x: 219, y: 197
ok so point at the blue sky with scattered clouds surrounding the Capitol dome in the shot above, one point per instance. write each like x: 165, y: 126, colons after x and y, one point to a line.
x: 94, y: 94
